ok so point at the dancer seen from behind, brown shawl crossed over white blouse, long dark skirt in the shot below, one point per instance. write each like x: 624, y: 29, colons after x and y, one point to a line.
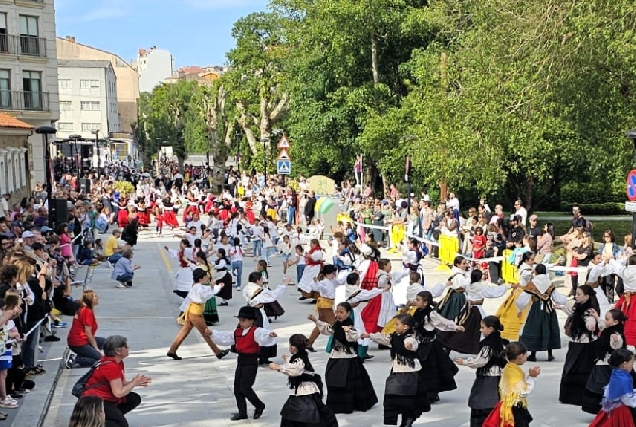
x: 541, y: 331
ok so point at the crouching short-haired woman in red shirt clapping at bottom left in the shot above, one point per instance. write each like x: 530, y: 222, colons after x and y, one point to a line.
x: 109, y: 382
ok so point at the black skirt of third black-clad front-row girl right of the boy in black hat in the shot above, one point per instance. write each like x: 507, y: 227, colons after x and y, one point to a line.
x: 405, y: 395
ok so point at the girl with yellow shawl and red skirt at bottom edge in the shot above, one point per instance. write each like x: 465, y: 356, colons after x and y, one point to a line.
x: 514, y: 387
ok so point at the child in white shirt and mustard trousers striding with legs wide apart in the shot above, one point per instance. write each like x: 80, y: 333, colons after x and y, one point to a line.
x: 200, y: 292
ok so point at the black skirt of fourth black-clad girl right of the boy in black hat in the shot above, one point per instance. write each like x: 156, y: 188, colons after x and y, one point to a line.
x: 437, y: 367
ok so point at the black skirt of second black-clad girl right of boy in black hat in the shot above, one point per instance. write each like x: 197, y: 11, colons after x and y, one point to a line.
x: 349, y: 387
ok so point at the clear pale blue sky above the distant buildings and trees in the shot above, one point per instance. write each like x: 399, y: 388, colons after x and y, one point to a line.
x: 196, y: 32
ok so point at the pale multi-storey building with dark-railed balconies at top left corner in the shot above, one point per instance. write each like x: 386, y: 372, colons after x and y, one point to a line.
x: 28, y: 71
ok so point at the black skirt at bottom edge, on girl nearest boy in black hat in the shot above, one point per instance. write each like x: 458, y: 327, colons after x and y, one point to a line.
x: 307, y: 411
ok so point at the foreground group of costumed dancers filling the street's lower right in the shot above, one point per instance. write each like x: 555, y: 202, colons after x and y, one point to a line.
x: 356, y: 304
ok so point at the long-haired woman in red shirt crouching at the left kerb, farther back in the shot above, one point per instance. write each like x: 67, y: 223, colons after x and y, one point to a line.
x: 85, y: 346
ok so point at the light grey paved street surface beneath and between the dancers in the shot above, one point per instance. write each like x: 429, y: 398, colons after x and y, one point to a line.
x: 197, y: 391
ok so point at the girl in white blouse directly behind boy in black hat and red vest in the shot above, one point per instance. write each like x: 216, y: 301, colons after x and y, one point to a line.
x: 257, y: 295
